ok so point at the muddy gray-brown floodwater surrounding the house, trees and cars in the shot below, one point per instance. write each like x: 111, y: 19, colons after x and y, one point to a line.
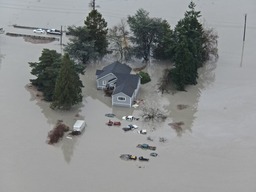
x: 214, y: 150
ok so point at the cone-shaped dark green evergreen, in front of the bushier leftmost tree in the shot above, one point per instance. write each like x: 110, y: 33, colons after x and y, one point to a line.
x: 68, y: 86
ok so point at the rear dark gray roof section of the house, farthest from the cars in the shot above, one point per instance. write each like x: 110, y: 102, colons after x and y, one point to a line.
x: 114, y: 68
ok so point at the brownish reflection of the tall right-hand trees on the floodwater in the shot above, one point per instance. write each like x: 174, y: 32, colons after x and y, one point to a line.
x: 170, y: 102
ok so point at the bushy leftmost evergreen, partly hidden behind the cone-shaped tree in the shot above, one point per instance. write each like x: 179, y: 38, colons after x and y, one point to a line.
x: 46, y: 71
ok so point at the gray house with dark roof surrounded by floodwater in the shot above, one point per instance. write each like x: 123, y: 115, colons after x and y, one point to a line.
x: 117, y: 77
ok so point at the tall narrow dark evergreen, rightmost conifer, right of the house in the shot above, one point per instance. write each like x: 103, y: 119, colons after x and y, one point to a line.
x: 188, y: 49
